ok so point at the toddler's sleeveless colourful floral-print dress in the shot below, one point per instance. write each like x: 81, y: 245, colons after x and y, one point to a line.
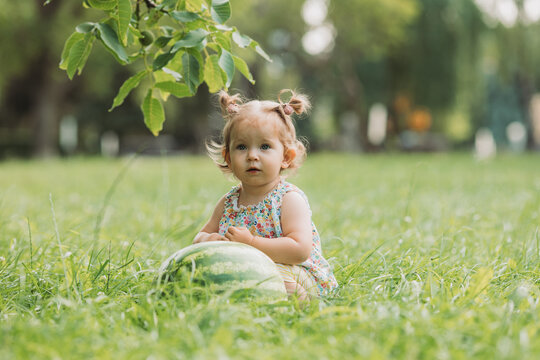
x: 264, y: 220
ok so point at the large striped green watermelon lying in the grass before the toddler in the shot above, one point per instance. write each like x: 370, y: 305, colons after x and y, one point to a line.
x: 224, y: 266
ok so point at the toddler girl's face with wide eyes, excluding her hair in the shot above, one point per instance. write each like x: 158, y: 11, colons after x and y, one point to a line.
x: 257, y: 155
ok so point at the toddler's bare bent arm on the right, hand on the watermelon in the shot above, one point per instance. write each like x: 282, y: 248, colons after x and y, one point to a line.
x: 295, y: 245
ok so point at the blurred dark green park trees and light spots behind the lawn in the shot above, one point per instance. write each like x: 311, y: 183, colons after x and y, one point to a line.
x: 383, y: 75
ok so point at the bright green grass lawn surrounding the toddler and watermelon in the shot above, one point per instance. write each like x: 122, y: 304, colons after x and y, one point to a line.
x: 437, y: 257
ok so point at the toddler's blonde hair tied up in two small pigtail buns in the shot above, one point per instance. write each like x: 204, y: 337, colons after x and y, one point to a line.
x: 234, y: 110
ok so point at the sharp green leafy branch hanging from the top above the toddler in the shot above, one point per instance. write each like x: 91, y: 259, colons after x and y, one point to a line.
x: 182, y: 44
